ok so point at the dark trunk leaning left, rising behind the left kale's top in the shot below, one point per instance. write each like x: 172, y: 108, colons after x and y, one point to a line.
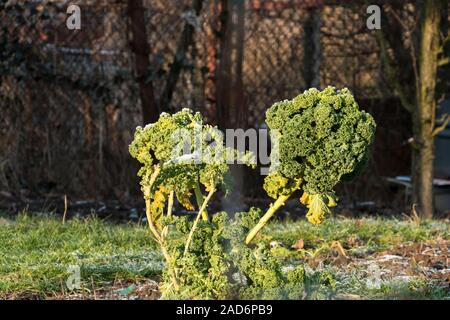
x: 141, y: 50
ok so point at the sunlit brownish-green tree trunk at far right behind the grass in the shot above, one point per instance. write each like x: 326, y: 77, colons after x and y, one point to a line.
x: 424, y: 113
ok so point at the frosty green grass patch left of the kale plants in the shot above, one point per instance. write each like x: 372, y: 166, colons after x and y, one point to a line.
x: 36, y: 253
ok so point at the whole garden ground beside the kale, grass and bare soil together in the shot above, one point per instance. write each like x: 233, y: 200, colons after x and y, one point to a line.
x: 367, y: 258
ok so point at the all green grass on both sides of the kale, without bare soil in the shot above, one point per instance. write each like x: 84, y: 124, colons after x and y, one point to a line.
x: 36, y: 253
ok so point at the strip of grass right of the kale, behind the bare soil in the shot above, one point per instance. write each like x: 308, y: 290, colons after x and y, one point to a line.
x: 358, y: 236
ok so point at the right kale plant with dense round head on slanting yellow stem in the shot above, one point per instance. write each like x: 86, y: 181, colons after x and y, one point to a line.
x: 323, y: 139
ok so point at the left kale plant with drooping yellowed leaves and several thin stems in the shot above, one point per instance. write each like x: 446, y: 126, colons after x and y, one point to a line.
x: 179, y: 154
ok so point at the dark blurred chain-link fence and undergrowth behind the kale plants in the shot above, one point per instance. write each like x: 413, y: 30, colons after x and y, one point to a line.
x: 70, y: 100
